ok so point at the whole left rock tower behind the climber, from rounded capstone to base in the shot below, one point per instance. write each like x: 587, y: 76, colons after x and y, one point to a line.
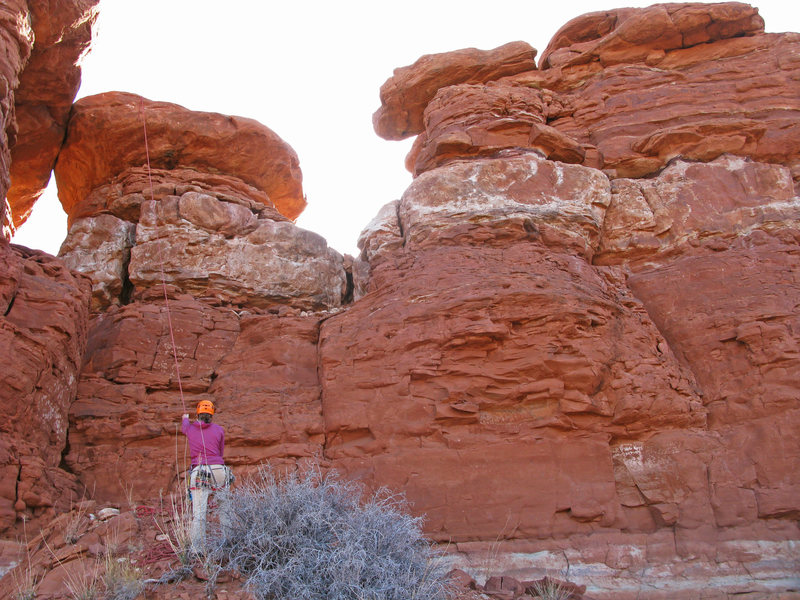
x: 203, y: 260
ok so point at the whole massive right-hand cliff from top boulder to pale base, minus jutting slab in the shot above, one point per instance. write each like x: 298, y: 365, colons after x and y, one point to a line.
x: 698, y: 264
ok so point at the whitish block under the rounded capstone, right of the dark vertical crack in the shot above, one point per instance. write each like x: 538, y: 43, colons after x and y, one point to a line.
x: 222, y: 251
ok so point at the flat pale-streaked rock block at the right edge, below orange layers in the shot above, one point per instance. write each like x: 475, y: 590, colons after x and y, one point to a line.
x: 692, y: 204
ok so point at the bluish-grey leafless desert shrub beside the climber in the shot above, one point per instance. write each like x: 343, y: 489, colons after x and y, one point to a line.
x: 320, y: 538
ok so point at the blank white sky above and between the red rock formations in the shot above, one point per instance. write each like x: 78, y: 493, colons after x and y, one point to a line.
x: 311, y: 72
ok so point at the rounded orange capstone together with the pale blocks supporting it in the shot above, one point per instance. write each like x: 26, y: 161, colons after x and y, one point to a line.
x: 210, y: 216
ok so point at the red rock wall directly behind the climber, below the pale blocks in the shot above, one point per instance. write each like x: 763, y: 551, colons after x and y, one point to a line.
x: 259, y: 370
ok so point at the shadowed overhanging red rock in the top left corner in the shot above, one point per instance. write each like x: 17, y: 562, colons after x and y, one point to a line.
x: 43, y: 42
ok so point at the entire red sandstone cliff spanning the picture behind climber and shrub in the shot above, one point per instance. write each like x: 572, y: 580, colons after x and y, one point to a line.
x: 574, y: 342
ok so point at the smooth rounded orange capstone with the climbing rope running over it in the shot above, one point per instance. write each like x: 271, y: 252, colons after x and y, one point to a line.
x: 177, y: 139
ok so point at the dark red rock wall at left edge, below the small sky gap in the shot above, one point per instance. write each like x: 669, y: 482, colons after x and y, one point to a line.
x: 43, y: 327
